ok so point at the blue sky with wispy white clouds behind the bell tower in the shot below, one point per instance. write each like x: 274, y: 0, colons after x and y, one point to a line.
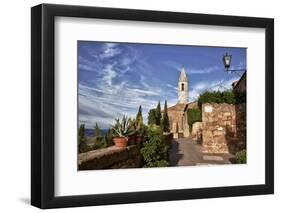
x: 115, y: 78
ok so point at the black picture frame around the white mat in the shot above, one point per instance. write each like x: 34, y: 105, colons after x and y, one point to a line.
x: 43, y: 105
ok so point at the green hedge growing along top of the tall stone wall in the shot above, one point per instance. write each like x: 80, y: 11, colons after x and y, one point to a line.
x: 229, y: 97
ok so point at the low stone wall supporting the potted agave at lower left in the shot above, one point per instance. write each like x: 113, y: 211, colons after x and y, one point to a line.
x: 110, y: 158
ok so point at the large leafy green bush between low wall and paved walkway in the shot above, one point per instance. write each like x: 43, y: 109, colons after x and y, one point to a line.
x: 155, y: 150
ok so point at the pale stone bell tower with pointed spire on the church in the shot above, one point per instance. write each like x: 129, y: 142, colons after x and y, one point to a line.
x: 182, y: 87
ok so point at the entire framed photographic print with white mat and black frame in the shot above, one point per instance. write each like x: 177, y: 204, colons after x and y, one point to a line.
x: 139, y: 106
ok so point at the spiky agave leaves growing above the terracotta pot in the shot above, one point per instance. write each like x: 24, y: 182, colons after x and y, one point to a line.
x: 123, y: 128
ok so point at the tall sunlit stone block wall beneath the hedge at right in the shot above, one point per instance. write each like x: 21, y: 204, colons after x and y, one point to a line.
x: 223, y: 127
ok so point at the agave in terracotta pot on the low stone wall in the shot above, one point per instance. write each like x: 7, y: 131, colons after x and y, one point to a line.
x: 122, y: 130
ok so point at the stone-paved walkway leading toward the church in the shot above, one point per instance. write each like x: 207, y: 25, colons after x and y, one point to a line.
x: 186, y: 152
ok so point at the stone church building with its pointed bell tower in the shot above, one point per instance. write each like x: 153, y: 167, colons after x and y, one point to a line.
x: 178, y: 113
